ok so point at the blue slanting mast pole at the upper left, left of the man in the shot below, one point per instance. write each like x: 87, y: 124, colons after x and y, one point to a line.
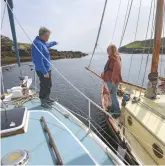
x: 12, y: 25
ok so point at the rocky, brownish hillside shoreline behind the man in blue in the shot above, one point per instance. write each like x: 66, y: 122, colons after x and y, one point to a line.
x: 8, y: 53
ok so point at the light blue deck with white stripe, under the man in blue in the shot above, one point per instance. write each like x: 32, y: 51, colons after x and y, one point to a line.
x: 75, y: 145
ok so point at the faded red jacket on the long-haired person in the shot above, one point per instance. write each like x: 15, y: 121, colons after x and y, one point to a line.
x: 113, y: 73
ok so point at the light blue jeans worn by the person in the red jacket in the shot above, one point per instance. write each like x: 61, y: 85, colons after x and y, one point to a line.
x: 115, y: 108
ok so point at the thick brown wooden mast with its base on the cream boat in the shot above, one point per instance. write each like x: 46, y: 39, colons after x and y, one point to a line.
x: 151, y: 91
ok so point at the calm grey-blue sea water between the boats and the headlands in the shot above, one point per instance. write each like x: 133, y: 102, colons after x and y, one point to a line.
x: 74, y: 70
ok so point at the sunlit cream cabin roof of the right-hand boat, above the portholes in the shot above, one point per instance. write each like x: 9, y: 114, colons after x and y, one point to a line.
x: 151, y: 115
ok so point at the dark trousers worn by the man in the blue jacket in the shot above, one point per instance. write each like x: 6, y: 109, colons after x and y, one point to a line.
x: 45, y: 85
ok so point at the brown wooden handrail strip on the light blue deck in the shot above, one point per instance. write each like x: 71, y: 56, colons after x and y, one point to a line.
x: 59, y: 160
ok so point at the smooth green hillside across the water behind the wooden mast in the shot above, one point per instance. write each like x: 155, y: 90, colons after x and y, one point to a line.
x: 137, y: 47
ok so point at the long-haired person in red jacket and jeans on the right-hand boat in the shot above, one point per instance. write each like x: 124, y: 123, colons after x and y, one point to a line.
x: 112, y: 77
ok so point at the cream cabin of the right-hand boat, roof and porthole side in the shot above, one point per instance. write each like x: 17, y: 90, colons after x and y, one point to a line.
x: 146, y: 123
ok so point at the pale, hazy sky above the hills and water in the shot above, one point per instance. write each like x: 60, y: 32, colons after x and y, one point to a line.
x: 74, y: 23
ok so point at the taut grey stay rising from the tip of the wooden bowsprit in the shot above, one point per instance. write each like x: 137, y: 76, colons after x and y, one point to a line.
x: 98, y: 33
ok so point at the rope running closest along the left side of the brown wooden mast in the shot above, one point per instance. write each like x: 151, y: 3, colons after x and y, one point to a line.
x: 152, y: 31
